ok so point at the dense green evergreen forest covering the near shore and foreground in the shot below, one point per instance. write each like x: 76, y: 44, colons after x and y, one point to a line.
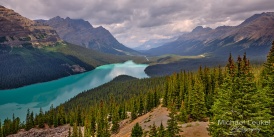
x: 223, y: 96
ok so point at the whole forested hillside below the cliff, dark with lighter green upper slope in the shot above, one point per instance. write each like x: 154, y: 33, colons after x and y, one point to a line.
x: 27, y: 65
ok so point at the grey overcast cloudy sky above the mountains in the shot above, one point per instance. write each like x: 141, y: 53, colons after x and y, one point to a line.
x: 133, y: 22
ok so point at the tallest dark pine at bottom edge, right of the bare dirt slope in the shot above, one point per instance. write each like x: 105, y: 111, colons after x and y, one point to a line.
x: 172, y: 125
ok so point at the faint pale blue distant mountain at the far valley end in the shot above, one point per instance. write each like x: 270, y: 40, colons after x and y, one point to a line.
x: 154, y: 43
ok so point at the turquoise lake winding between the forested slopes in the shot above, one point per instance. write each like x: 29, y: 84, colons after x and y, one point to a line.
x: 42, y: 95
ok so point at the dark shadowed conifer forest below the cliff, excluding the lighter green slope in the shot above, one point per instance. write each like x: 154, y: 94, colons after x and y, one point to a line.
x: 31, y: 65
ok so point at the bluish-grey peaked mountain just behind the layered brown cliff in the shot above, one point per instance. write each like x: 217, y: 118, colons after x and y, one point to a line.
x: 81, y: 32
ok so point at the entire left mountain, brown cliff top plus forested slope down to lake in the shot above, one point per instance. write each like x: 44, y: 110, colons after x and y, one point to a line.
x: 31, y: 52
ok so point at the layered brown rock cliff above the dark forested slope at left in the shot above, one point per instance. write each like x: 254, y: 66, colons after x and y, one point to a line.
x: 17, y: 30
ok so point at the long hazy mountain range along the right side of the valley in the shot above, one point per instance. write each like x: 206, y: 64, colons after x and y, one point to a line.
x: 253, y: 36
